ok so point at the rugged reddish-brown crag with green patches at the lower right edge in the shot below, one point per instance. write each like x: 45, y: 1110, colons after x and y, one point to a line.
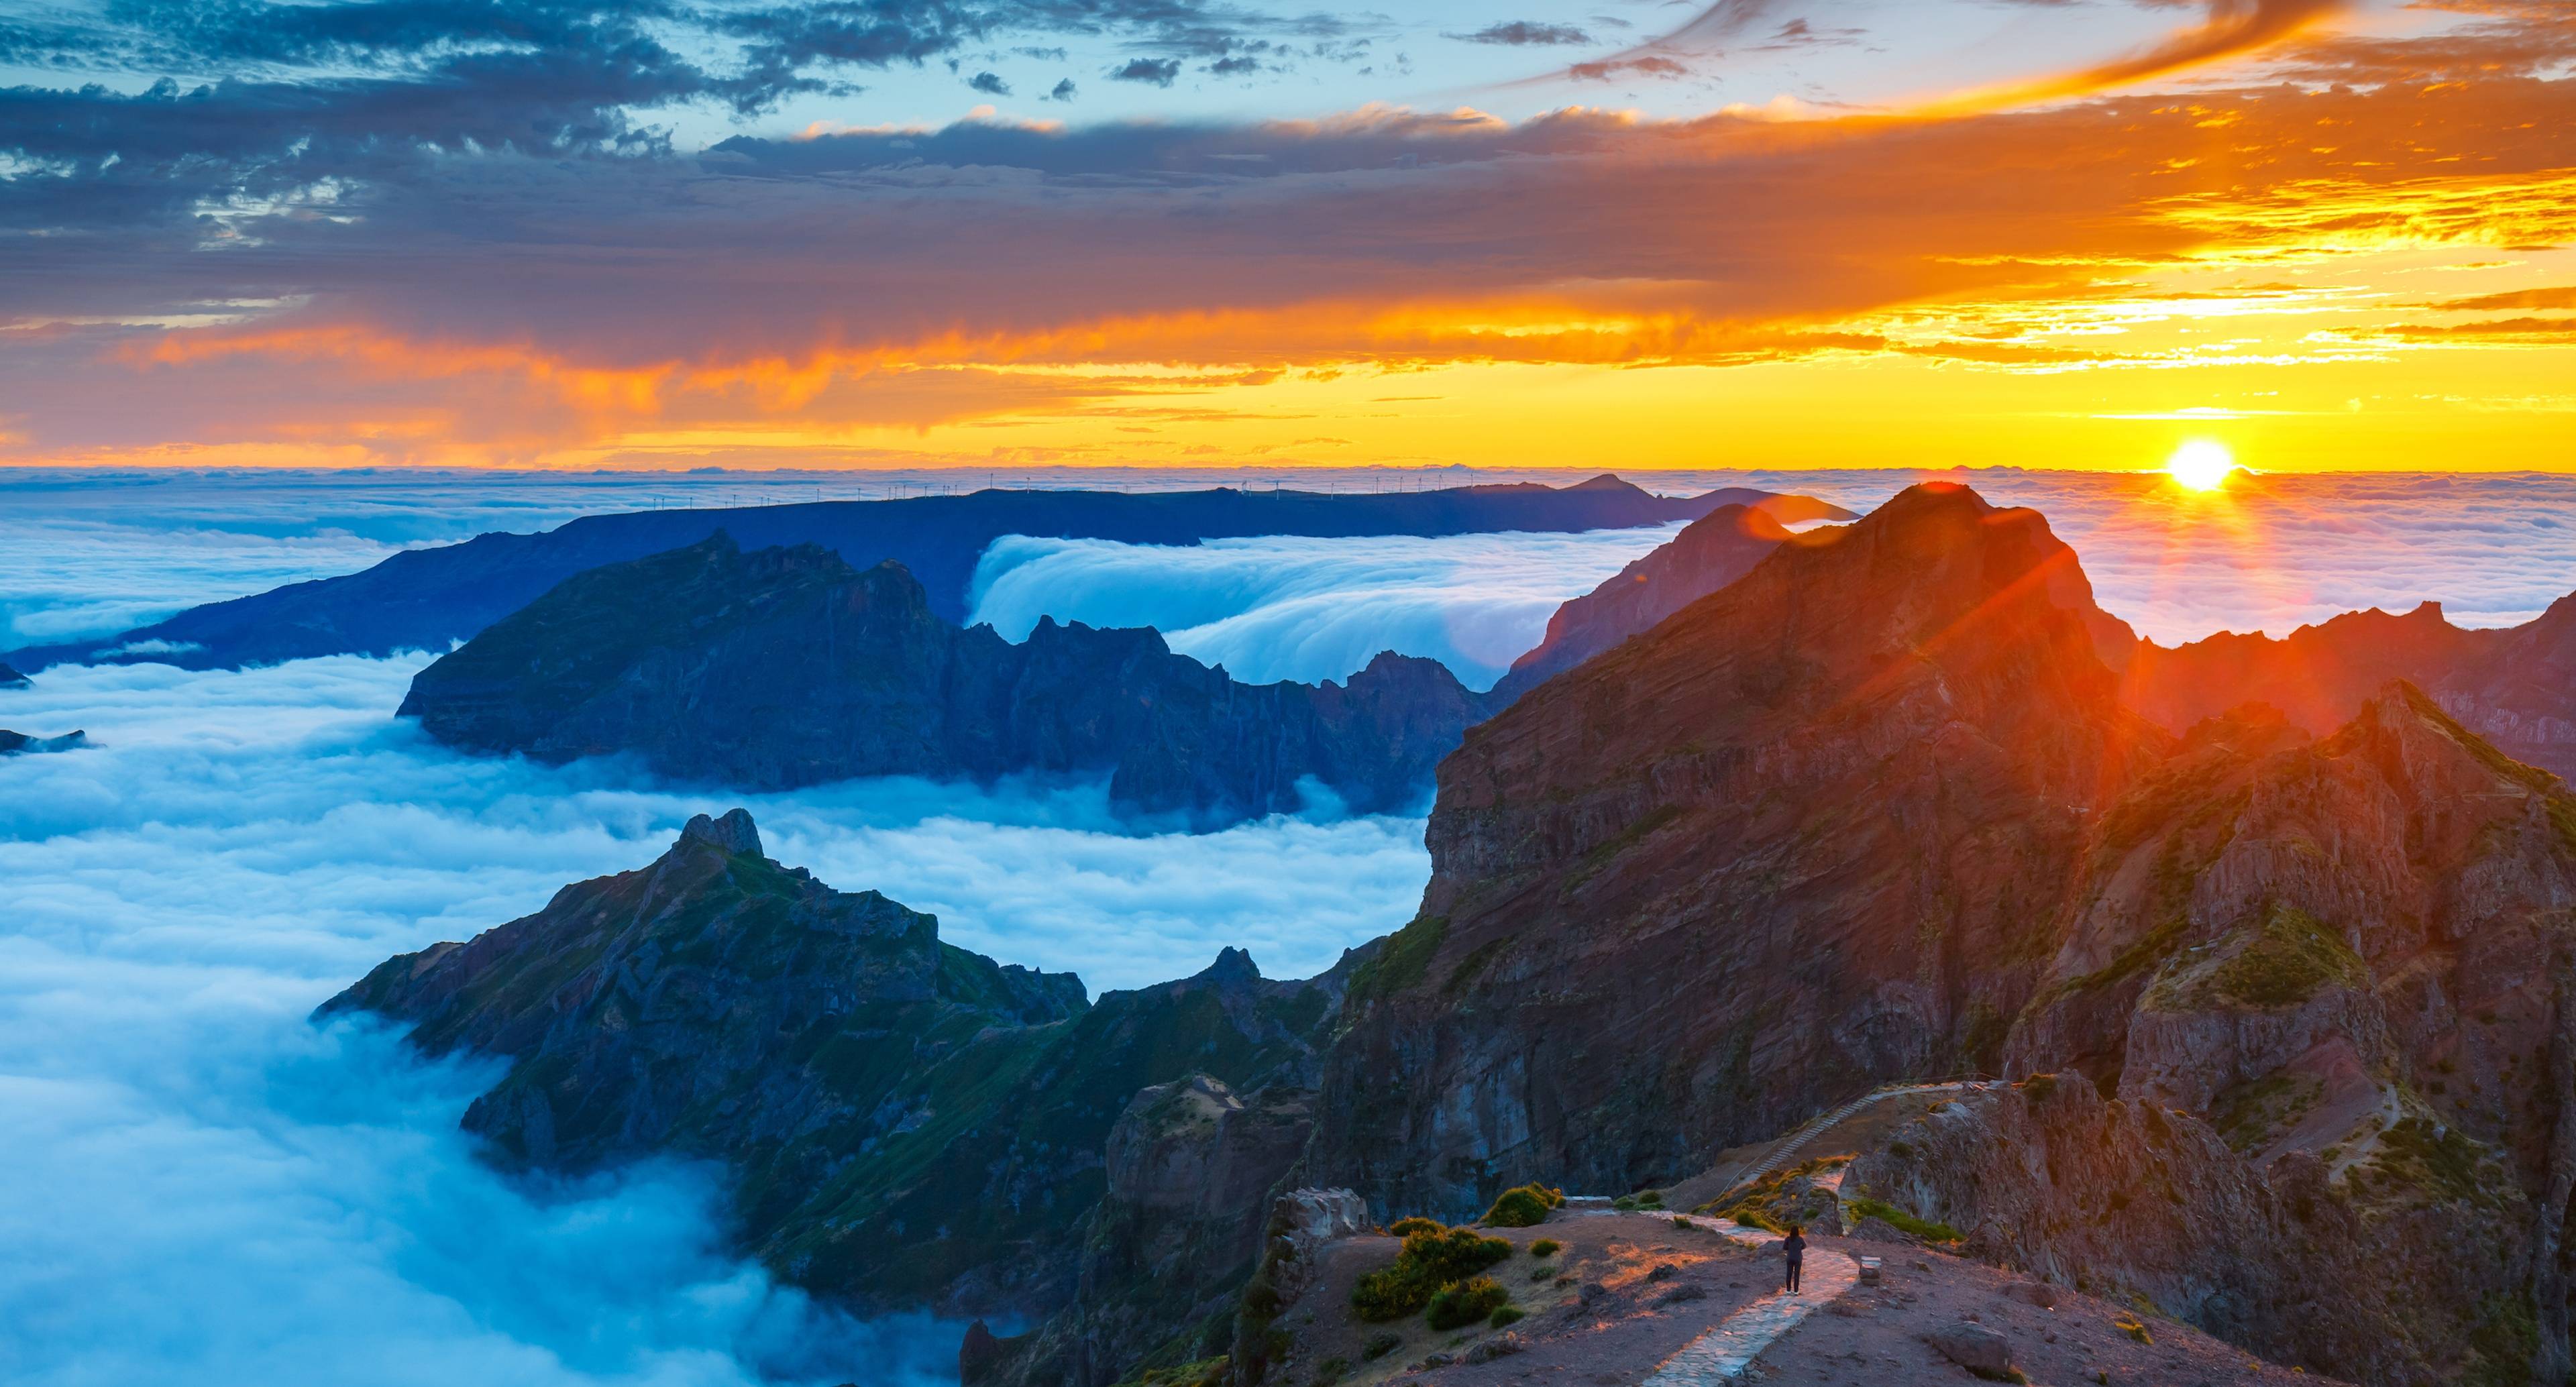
x: 2351, y: 961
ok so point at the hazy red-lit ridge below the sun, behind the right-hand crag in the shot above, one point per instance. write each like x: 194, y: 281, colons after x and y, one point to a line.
x: 2515, y: 688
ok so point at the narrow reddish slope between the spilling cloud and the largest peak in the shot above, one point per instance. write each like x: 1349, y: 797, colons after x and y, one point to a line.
x: 1709, y: 555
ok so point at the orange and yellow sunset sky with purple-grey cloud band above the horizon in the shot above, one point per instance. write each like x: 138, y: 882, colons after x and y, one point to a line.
x: 2340, y: 243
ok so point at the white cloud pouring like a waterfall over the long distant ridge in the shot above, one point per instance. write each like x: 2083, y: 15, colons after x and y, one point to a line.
x: 1294, y: 609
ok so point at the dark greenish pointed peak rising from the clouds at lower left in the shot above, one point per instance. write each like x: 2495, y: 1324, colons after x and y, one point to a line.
x: 908, y: 1123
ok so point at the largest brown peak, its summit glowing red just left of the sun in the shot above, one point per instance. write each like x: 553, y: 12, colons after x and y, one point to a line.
x: 1799, y: 838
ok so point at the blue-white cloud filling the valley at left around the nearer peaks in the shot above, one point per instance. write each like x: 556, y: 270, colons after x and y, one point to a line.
x: 210, y: 1190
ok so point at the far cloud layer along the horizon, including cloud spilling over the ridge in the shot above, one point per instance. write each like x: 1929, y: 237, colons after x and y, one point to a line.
x: 89, y: 555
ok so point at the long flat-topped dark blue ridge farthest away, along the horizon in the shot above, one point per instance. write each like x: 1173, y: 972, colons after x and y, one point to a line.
x: 431, y: 598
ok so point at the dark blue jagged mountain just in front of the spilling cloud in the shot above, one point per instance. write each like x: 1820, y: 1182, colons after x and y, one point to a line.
x: 787, y: 668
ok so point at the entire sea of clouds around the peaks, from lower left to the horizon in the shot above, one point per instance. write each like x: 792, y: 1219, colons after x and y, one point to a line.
x: 205, y: 1188
